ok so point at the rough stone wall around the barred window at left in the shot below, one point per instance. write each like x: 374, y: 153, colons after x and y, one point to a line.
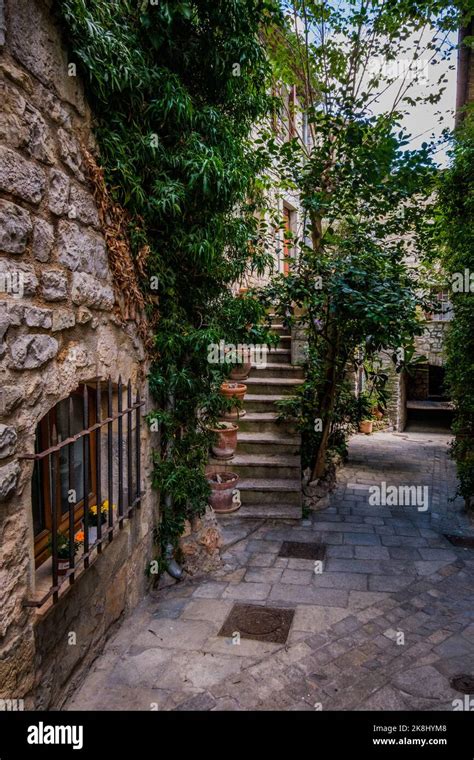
x: 58, y: 328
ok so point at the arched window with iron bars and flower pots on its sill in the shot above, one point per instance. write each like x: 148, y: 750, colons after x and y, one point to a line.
x: 86, y: 480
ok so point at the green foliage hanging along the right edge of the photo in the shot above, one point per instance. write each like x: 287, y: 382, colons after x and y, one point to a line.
x: 456, y: 224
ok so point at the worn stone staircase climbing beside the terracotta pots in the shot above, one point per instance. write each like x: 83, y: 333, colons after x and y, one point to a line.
x: 267, y: 457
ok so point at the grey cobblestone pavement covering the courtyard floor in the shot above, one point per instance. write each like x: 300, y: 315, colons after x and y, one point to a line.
x: 384, y: 627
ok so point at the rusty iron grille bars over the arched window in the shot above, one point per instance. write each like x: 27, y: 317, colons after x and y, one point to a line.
x: 96, y: 442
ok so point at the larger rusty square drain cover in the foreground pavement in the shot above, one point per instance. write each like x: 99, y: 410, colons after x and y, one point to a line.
x: 262, y: 623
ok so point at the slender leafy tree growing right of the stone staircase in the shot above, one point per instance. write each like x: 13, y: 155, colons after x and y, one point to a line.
x: 366, y: 196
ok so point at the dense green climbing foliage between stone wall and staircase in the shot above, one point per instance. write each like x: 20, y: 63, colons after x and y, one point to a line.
x: 175, y: 89
